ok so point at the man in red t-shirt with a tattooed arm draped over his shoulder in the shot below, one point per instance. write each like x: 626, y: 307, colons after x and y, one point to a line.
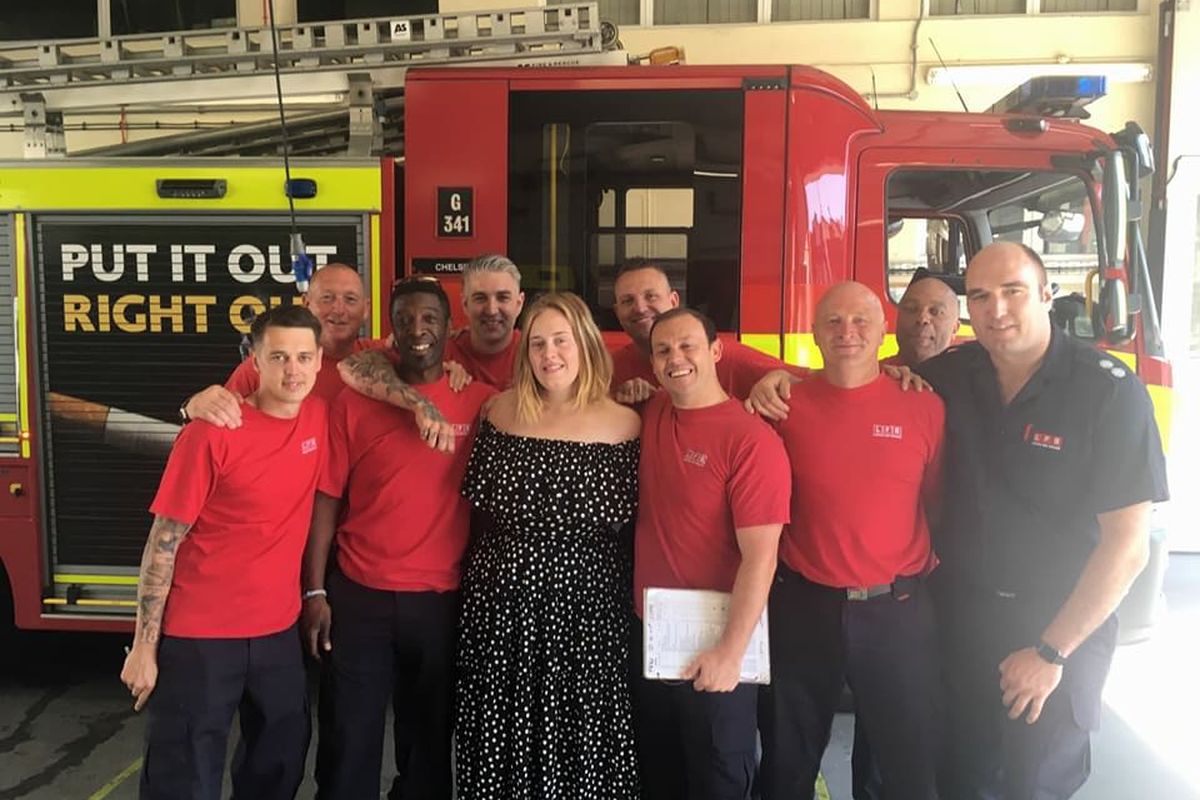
x: 385, y: 622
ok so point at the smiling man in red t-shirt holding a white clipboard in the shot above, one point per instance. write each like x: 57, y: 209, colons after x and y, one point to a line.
x: 713, y: 500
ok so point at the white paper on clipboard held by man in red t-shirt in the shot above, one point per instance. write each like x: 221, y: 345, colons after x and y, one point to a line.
x: 682, y: 623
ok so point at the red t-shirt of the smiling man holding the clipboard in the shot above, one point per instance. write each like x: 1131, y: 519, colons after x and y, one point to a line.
x: 704, y: 473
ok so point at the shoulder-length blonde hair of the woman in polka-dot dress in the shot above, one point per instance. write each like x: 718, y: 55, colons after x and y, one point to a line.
x: 596, y: 364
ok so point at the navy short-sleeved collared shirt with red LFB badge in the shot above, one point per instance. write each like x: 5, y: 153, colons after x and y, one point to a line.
x: 1024, y: 484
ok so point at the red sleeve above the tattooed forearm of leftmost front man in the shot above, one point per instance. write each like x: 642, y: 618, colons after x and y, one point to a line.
x: 191, y: 474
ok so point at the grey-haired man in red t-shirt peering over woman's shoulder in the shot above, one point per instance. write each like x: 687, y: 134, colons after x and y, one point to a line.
x: 493, y: 300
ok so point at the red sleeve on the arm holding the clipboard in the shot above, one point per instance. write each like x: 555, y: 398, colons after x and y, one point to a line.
x: 760, y: 489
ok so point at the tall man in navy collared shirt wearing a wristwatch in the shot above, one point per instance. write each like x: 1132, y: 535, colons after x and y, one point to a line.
x: 1053, y: 462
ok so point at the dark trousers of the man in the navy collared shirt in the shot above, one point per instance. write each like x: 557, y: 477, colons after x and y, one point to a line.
x: 988, y: 756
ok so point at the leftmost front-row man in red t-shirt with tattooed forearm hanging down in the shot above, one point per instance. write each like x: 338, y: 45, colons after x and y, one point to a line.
x: 219, y: 593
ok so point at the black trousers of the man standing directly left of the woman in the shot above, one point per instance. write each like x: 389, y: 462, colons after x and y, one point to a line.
x: 398, y: 645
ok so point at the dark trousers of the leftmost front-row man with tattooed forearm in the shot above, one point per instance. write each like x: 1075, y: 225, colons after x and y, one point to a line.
x: 202, y: 684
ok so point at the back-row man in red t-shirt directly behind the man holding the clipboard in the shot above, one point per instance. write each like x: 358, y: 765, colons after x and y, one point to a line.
x: 643, y: 293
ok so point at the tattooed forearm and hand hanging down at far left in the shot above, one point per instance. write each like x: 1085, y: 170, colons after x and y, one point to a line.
x: 141, y: 672
